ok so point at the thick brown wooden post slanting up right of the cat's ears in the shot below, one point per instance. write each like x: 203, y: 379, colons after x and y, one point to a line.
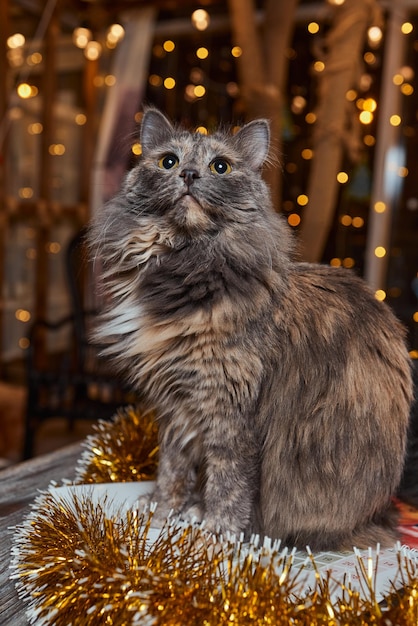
x: 345, y: 42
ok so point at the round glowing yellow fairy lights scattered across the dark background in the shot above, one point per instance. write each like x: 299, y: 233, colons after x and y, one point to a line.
x: 23, y: 58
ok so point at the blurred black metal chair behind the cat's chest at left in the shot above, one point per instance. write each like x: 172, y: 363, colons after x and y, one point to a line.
x: 75, y: 383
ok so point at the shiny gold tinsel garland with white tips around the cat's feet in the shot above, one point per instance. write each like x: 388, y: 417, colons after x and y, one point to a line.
x: 75, y: 564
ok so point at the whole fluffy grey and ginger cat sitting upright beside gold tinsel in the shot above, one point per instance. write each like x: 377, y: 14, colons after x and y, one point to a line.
x: 282, y: 388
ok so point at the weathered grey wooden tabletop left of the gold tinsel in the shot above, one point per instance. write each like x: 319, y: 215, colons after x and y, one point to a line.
x: 19, y: 487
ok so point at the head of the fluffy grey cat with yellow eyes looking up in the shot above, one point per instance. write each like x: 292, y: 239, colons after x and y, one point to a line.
x: 199, y: 183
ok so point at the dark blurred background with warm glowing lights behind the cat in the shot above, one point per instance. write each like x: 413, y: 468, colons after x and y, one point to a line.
x: 336, y: 78
